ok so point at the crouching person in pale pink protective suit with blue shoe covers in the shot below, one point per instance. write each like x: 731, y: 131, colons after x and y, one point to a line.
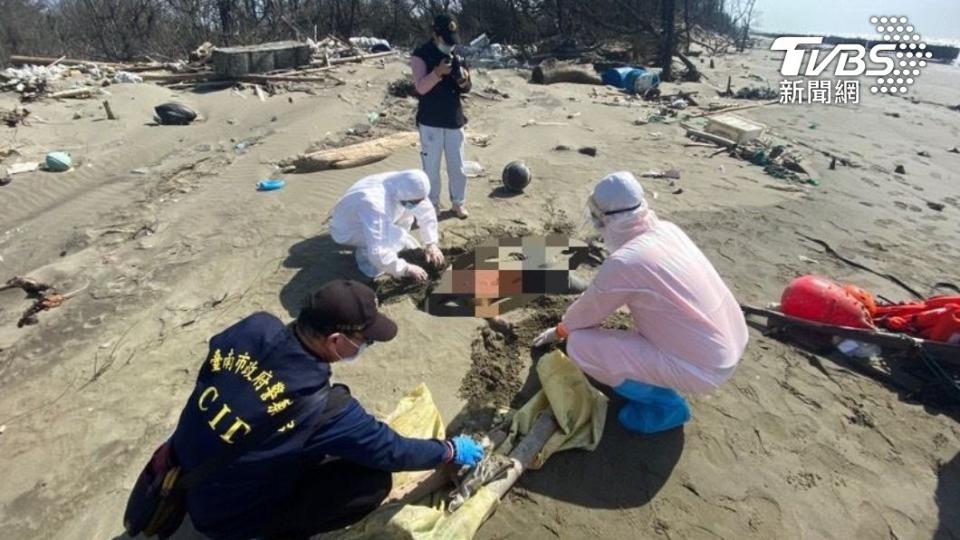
x: 688, y: 331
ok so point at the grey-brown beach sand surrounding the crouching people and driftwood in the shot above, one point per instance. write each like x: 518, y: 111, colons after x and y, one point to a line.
x: 794, y: 446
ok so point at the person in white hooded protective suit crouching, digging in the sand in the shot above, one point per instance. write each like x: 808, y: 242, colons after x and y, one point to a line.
x: 375, y: 216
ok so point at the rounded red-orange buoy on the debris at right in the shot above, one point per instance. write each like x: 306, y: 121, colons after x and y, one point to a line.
x: 819, y: 299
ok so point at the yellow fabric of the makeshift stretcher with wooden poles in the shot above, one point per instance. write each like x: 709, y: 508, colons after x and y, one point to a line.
x: 580, y: 411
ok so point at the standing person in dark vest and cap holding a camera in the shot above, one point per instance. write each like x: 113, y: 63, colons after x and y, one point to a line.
x: 440, y: 78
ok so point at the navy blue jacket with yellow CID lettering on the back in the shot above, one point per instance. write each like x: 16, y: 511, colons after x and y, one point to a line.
x: 255, y: 369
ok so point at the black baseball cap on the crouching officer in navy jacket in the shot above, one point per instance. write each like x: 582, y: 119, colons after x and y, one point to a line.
x: 346, y: 306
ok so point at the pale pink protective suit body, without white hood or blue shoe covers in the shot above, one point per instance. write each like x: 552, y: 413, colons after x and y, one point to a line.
x: 688, y: 331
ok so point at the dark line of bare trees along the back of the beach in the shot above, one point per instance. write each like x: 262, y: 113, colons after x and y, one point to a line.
x: 169, y: 29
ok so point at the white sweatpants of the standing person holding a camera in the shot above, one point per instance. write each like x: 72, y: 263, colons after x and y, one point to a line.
x: 434, y: 143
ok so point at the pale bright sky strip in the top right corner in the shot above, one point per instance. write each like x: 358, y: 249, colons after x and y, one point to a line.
x: 932, y: 18
